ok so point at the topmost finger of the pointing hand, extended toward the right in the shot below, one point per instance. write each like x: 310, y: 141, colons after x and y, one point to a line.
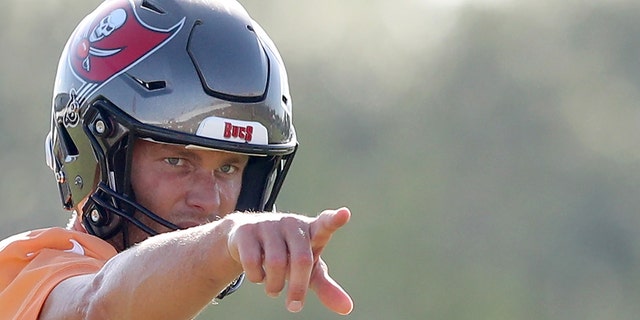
x: 328, y: 222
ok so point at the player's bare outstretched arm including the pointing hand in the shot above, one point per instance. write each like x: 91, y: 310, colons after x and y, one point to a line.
x: 175, y: 275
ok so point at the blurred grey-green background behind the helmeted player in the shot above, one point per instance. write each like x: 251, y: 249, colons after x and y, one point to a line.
x: 488, y: 150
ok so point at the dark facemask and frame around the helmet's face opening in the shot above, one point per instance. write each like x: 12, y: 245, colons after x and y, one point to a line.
x: 112, y: 208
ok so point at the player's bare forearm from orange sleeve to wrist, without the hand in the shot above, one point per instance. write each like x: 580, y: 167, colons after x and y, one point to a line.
x: 170, y: 276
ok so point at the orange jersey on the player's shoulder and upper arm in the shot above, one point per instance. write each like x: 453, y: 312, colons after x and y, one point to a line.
x: 33, y: 263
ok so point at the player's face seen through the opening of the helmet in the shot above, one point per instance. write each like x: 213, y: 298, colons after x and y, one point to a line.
x: 187, y: 187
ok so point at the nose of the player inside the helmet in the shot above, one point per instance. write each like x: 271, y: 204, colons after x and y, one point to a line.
x: 204, y: 194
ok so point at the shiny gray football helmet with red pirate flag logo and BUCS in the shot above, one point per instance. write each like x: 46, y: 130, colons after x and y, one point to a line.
x: 184, y: 72
